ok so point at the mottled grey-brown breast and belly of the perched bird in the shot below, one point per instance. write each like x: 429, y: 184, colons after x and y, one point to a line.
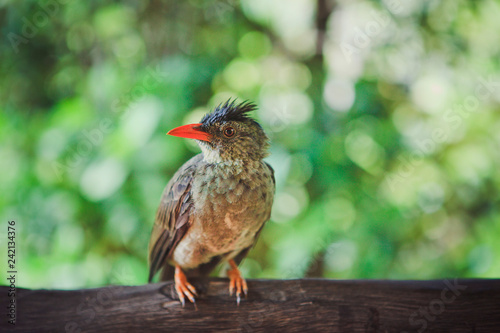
x: 229, y: 210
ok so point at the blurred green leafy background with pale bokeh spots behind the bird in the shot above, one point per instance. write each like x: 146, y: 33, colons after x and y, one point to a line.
x: 384, y: 118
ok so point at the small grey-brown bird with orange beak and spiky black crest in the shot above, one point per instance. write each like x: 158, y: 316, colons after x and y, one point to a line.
x: 216, y: 204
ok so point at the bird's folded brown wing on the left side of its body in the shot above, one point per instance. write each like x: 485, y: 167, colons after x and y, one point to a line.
x: 172, y: 217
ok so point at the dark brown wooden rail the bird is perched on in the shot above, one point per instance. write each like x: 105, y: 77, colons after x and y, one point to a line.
x: 305, y: 305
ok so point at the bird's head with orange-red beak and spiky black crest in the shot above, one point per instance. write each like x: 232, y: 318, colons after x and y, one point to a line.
x: 228, y: 134
